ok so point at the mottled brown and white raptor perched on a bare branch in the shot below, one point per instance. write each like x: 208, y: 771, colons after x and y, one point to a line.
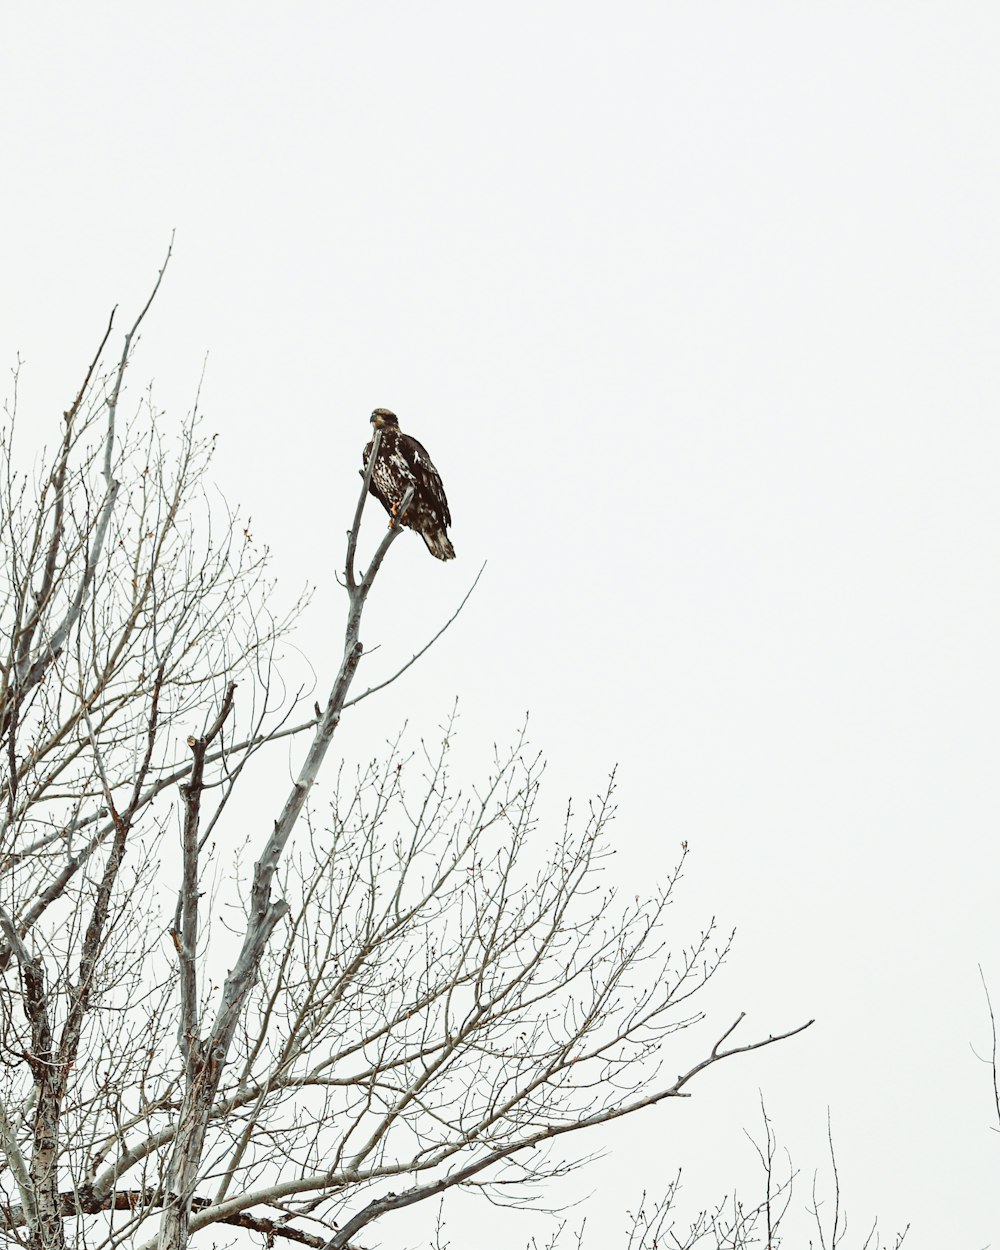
x: 404, y: 463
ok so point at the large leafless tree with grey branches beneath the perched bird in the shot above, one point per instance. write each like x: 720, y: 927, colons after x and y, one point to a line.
x: 416, y: 991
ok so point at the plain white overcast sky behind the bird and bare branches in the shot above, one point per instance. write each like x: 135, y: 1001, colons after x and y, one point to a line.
x: 696, y: 307
